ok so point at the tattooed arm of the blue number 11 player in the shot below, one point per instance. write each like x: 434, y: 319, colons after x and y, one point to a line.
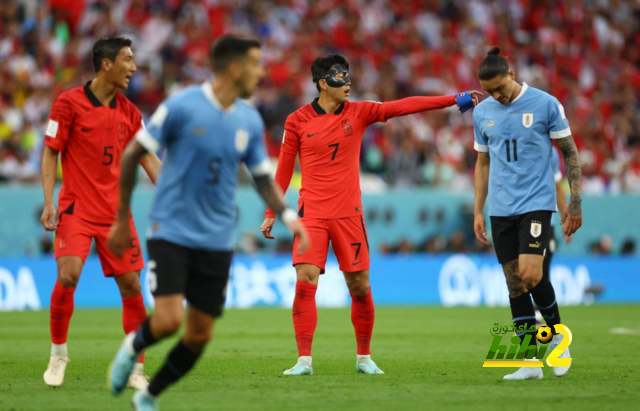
x: 572, y: 215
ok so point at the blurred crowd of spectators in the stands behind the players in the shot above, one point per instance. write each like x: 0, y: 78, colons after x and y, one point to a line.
x: 583, y: 52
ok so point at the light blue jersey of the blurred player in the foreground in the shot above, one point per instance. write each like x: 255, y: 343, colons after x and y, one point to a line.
x: 195, y: 204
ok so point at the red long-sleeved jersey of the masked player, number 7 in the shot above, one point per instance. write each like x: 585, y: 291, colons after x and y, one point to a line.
x: 329, y: 148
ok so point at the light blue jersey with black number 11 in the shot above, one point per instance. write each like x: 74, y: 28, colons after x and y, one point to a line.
x: 517, y: 137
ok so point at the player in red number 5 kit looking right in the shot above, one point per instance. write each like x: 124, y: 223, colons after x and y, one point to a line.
x: 89, y: 127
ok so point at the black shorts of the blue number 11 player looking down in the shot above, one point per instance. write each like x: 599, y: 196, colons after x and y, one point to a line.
x: 521, y: 234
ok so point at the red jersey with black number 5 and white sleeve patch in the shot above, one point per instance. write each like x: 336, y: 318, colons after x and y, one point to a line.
x: 91, y: 138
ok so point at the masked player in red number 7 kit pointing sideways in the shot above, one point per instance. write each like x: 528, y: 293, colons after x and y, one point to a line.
x: 327, y: 134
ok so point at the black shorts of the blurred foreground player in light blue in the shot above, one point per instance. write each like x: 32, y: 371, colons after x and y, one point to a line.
x: 200, y: 275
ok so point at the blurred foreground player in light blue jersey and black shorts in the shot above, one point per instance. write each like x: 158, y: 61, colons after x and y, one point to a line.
x: 207, y: 131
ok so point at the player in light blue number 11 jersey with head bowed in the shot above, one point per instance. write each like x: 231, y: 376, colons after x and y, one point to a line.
x: 513, y: 132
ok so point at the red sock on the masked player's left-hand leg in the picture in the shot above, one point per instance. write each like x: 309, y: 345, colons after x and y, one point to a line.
x: 305, y: 316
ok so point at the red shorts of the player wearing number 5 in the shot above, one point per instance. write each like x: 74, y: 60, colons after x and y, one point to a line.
x: 74, y: 235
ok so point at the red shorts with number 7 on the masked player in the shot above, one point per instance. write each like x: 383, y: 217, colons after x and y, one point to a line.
x: 349, y: 240
